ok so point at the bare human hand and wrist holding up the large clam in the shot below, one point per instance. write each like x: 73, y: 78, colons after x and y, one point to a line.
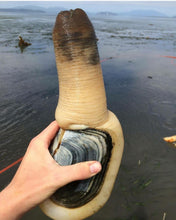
x: 39, y: 176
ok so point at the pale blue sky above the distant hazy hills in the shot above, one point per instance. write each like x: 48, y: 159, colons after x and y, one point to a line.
x: 166, y: 7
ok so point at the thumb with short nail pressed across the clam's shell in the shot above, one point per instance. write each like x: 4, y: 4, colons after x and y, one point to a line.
x: 79, y: 171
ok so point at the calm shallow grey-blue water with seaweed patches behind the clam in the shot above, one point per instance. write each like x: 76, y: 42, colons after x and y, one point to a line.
x: 140, y: 87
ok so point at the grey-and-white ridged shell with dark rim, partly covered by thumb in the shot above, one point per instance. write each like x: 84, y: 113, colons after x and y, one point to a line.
x: 70, y: 147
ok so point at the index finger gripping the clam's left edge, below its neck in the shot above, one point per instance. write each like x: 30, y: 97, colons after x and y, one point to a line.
x: 49, y: 132
